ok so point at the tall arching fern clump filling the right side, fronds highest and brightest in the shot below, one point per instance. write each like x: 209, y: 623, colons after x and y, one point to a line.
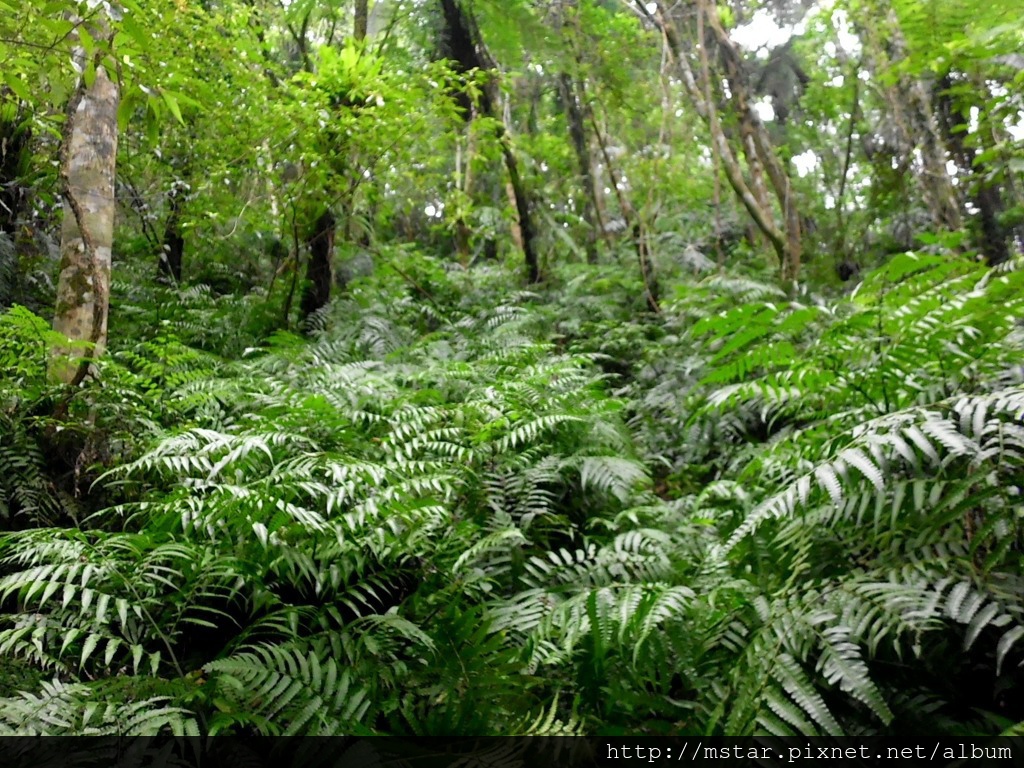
x: 879, y: 449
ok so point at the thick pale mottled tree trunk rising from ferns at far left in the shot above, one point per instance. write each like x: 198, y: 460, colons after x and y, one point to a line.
x: 88, y: 169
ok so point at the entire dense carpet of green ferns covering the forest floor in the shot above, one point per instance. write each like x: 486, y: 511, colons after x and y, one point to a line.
x: 455, y: 509
